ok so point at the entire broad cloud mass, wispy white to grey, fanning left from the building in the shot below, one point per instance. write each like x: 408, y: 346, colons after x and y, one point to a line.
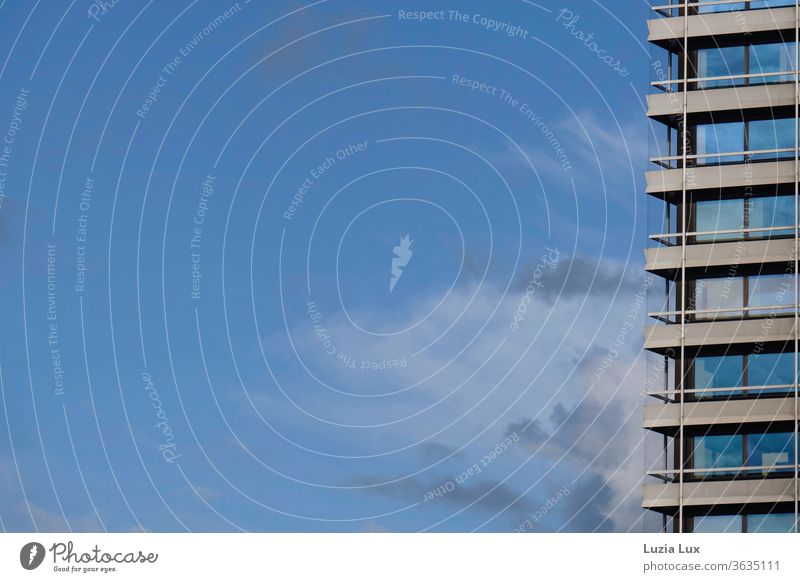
x: 585, y: 432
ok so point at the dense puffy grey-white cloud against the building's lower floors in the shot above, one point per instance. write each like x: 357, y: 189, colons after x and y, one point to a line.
x: 598, y: 440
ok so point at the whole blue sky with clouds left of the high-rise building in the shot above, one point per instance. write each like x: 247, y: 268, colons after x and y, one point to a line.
x: 232, y: 357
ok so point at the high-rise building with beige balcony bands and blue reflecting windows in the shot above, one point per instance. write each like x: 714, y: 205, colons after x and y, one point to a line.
x: 724, y: 178
